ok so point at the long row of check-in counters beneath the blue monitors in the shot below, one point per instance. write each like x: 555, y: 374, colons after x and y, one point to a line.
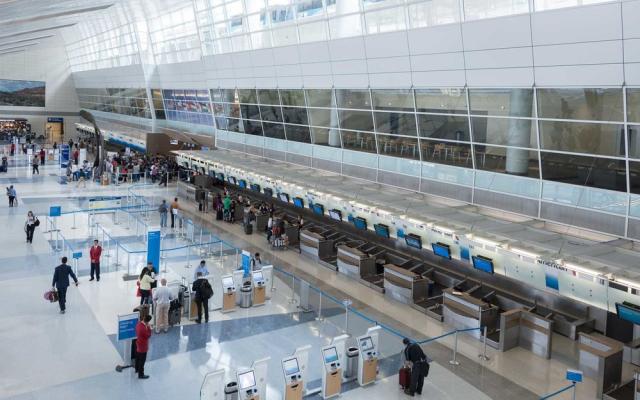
x: 446, y: 295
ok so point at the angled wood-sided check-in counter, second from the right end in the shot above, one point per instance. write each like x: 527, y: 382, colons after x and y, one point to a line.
x: 521, y: 328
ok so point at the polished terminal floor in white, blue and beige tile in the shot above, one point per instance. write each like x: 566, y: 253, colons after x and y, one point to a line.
x: 51, y: 356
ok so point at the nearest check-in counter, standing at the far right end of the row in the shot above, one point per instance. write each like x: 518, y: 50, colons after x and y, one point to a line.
x: 600, y: 358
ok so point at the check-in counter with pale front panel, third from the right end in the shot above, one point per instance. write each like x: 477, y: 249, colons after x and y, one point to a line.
x: 461, y: 310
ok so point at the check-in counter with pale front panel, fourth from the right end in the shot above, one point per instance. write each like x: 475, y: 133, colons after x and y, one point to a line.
x: 404, y: 285
